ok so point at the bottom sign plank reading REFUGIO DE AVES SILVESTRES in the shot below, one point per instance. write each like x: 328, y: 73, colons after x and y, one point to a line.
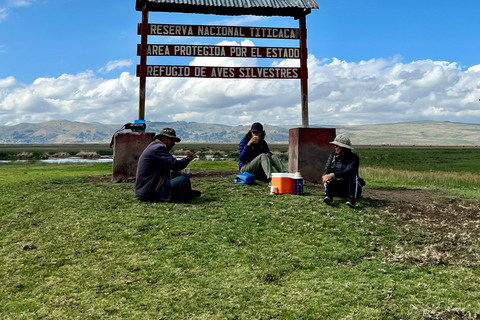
x: 221, y: 72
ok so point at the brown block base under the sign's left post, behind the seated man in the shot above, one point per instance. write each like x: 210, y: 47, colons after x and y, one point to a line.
x: 127, y: 148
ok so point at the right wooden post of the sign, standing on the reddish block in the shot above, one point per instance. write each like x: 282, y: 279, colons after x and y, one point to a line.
x: 303, y: 68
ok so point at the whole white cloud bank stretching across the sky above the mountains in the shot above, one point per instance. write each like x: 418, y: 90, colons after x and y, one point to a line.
x: 340, y: 92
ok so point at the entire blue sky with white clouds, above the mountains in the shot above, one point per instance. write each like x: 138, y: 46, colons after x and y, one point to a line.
x: 370, y: 62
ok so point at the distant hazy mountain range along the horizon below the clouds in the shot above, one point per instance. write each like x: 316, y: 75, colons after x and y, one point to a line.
x: 405, y: 133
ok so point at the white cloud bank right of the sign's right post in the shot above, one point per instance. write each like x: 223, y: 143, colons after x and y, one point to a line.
x: 380, y: 91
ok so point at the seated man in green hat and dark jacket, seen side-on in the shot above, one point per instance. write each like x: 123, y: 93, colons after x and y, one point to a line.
x: 156, y: 167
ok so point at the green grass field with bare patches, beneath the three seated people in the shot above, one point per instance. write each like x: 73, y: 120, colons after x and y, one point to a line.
x: 75, y: 246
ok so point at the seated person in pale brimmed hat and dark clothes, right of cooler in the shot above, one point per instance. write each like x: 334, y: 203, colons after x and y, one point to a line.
x: 340, y: 177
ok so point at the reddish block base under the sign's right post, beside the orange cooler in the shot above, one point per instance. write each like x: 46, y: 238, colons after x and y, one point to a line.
x: 308, y: 151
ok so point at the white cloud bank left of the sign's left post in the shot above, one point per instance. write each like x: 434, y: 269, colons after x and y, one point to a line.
x: 80, y: 97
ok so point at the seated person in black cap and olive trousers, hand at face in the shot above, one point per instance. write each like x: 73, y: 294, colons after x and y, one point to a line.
x: 255, y: 156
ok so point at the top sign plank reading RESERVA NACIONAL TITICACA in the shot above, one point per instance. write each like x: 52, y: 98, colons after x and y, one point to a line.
x: 220, y: 31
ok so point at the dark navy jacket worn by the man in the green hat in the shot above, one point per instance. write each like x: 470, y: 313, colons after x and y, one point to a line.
x: 153, y: 172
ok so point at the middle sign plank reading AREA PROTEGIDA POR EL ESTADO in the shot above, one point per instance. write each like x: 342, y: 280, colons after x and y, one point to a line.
x: 183, y: 50
